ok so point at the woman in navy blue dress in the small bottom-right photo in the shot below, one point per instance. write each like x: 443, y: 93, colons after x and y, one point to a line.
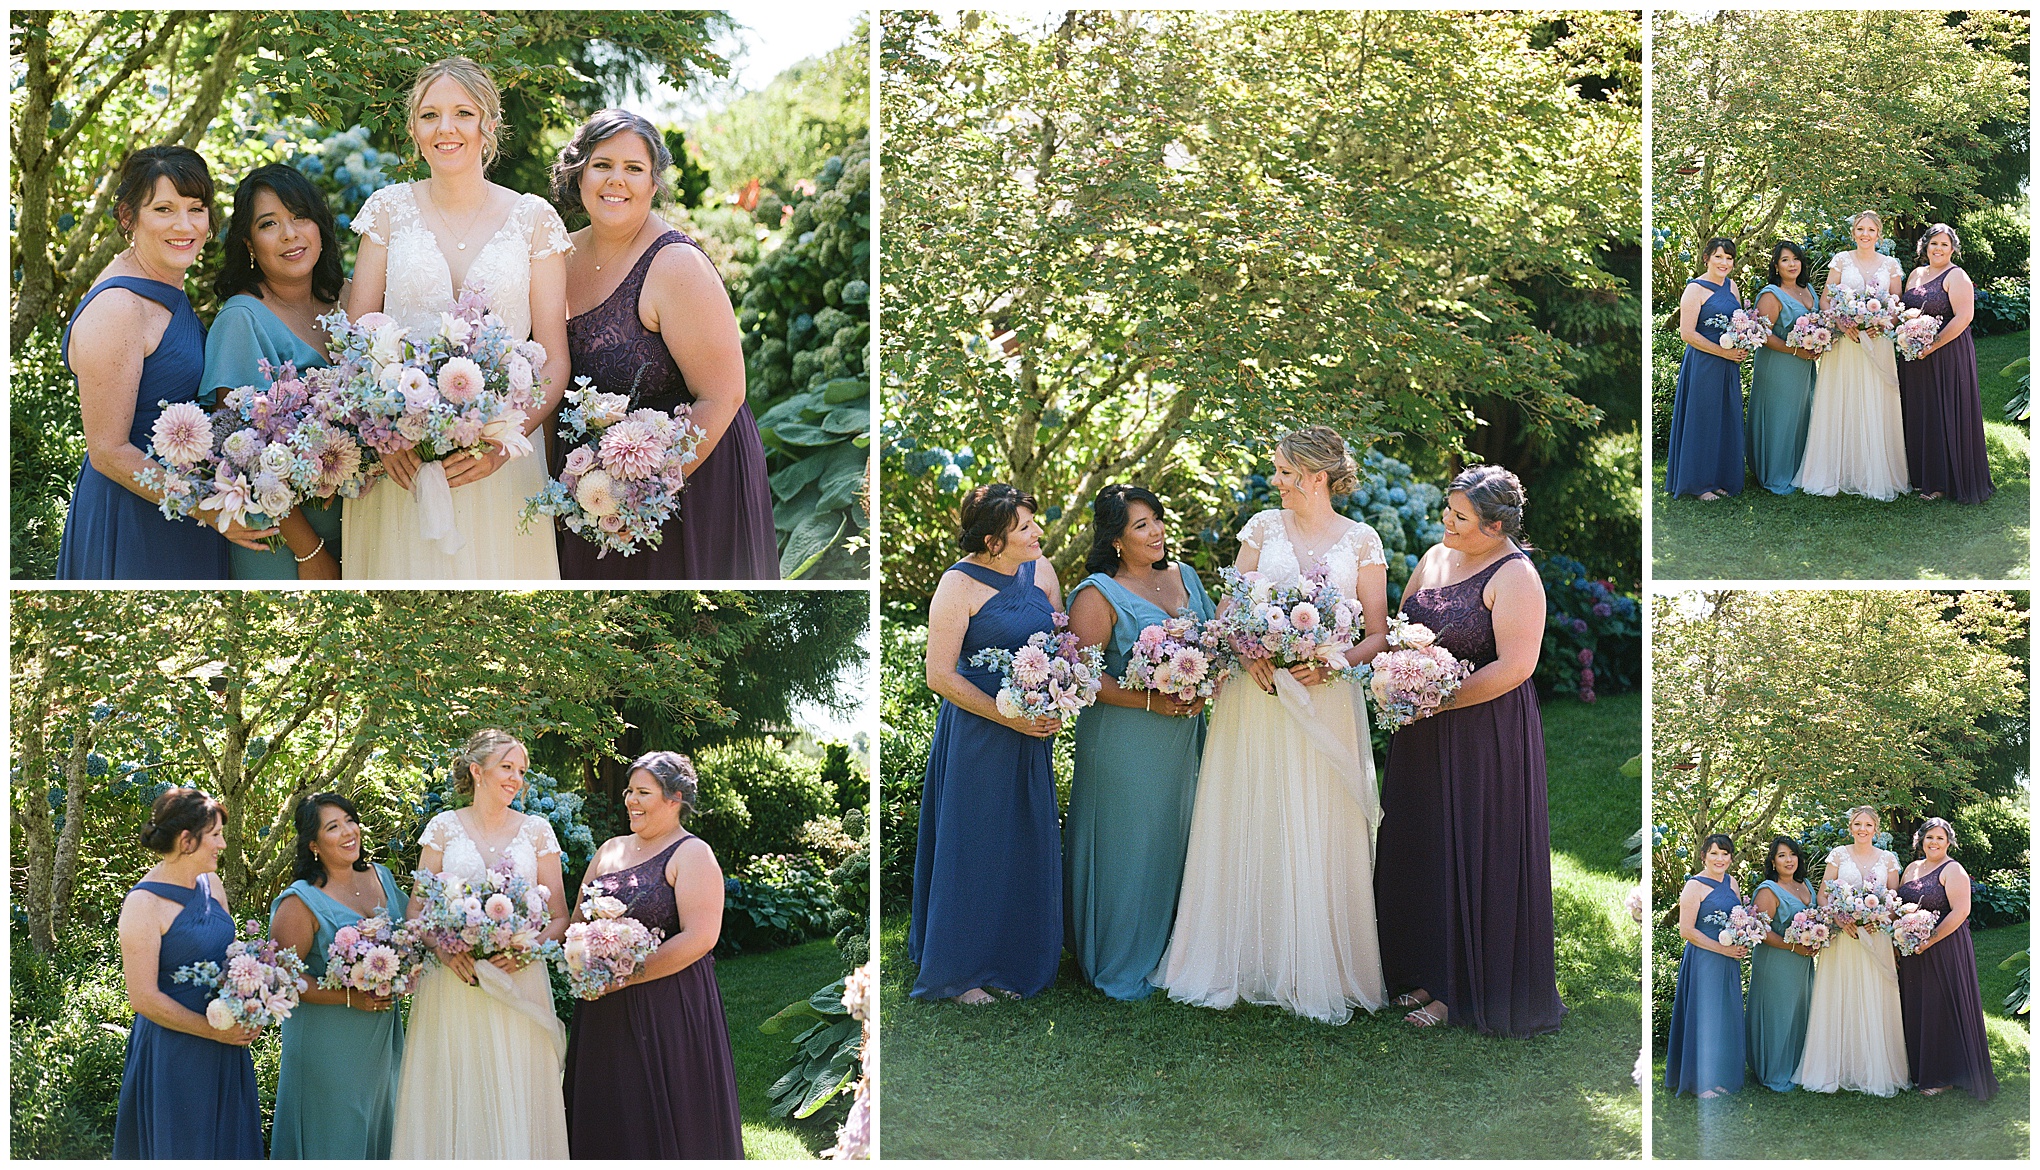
x: 1708, y: 1047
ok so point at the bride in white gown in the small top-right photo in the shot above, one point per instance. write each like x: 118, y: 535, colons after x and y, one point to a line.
x: 1855, y: 439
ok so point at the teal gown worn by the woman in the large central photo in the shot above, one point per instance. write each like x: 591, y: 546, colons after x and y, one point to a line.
x: 1129, y: 812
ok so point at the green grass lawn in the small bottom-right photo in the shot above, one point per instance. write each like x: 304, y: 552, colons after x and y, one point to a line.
x: 1764, y: 1124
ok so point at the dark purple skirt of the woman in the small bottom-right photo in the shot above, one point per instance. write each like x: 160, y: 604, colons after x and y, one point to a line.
x: 1943, y: 1006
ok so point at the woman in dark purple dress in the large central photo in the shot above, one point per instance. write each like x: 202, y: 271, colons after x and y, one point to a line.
x: 1464, y: 859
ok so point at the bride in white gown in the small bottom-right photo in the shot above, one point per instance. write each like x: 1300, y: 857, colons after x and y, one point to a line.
x: 1855, y: 1030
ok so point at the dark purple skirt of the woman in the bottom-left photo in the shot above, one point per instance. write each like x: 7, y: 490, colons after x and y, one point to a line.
x: 650, y: 1073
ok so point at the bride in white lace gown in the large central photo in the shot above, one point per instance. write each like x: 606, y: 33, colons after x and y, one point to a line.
x: 1278, y: 896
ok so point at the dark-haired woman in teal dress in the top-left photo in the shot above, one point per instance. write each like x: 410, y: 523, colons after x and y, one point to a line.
x: 283, y: 272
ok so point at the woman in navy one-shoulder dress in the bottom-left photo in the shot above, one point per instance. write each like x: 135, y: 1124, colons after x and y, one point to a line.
x: 189, y: 1089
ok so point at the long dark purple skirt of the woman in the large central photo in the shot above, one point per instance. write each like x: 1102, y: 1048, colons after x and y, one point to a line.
x: 1464, y: 867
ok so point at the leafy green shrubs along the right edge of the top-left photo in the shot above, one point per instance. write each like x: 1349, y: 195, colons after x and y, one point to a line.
x: 807, y: 323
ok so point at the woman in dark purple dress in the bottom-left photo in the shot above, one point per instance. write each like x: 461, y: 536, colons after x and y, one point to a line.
x: 650, y: 1071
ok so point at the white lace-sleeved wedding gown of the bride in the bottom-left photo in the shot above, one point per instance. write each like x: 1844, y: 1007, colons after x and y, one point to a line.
x: 482, y: 1065
